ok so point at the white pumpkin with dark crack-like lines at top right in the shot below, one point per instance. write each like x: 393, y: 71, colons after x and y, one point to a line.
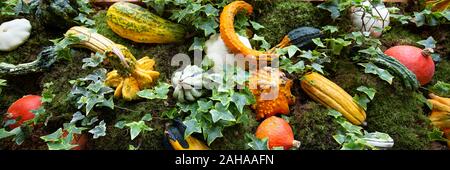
x: 379, y: 19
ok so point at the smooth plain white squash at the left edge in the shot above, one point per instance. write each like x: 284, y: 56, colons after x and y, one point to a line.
x: 14, y: 33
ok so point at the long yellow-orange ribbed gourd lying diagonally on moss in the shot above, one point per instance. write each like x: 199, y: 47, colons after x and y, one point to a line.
x: 332, y: 96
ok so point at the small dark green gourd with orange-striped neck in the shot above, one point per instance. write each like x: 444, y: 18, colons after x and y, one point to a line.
x: 300, y: 37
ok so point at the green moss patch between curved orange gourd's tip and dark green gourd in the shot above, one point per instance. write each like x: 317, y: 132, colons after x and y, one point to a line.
x: 280, y: 17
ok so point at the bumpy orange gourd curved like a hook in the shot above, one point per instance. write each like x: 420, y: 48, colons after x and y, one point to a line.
x: 228, y: 34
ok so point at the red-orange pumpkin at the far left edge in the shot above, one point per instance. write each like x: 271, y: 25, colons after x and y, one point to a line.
x: 21, y: 109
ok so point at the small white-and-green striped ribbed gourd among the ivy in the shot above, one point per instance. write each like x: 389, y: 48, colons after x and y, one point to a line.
x: 187, y: 83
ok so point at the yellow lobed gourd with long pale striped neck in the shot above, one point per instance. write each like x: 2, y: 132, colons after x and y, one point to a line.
x: 130, y: 75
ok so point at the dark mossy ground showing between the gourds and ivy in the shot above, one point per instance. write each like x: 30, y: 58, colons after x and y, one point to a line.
x: 394, y: 110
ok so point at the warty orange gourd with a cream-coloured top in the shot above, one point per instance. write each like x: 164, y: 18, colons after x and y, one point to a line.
x: 272, y: 90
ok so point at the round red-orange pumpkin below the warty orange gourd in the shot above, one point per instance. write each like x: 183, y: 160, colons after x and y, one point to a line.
x: 278, y: 132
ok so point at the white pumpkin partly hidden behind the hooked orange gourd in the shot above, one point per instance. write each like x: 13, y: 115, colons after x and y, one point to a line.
x: 218, y: 52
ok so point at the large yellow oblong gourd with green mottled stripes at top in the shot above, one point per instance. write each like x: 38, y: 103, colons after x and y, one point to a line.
x: 136, y: 23
